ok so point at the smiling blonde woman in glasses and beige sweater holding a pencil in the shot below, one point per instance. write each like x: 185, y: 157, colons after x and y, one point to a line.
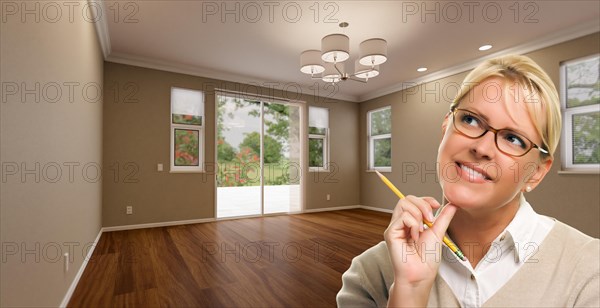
x: 498, y: 143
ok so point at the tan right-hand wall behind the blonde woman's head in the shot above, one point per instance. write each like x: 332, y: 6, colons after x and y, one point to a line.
x: 416, y: 132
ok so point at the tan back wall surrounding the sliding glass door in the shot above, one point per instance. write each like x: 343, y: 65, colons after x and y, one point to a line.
x: 137, y: 133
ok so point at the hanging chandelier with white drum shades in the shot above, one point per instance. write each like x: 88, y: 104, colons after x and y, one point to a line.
x: 329, y: 62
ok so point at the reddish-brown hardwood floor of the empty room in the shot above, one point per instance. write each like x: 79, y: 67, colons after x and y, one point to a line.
x: 294, y: 260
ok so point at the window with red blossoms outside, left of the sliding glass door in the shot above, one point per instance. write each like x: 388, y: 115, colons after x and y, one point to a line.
x: 187, y: 130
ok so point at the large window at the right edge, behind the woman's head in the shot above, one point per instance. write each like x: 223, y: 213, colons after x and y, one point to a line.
x: 580, y: 99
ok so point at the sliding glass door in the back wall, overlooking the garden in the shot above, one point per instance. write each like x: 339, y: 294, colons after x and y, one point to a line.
x: 258, y: 155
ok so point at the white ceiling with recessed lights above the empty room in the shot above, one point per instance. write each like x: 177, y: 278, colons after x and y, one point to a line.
x: 194, y: 37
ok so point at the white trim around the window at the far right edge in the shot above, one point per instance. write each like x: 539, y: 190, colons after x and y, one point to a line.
x: 567, y: 131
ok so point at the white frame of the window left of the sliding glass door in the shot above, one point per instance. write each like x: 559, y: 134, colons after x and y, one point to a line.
x: 199, y: 128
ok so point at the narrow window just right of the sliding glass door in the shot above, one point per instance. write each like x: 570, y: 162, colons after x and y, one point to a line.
x: 318, y: 139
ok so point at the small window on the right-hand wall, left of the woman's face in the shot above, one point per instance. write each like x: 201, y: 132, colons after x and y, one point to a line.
x: 379, y: 130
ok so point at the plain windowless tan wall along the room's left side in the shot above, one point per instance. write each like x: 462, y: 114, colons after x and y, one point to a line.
x: 45, y: 213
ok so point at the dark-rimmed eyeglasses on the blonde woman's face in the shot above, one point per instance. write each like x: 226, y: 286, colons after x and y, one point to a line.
x: 471, y: 125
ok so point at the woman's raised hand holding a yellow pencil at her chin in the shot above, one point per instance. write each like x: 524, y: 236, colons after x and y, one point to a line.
x: 415, y: 252
